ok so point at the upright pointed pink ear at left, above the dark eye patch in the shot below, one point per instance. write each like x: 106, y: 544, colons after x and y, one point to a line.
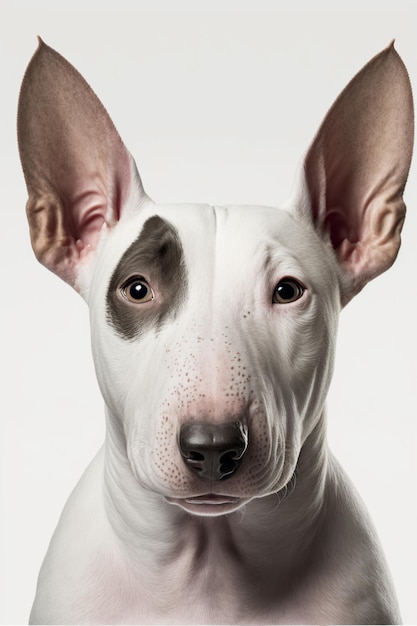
x: 79, y: 175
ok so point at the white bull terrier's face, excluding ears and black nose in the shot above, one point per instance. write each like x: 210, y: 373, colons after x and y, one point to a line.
x: 203, y: 314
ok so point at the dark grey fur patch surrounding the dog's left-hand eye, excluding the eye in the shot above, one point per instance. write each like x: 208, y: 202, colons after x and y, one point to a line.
x: 156, y: 254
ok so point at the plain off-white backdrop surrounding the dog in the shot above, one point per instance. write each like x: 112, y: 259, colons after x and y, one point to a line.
x: 217, y: 101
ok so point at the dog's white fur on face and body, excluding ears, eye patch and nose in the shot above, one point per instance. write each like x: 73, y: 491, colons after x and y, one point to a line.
x: 133, y: 556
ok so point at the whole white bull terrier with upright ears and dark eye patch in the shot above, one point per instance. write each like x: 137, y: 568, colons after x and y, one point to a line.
x: 215, y: 498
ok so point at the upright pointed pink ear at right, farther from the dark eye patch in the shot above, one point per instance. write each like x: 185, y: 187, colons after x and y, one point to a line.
x: 356, y: 170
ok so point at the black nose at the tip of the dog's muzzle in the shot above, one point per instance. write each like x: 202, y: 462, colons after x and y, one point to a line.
x: 213, y: 451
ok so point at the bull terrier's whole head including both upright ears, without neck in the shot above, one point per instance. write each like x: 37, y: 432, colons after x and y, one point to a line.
x: 213, y: 327
